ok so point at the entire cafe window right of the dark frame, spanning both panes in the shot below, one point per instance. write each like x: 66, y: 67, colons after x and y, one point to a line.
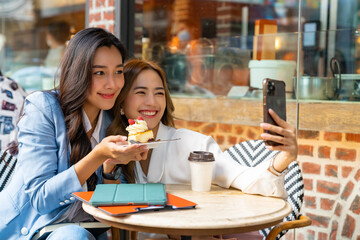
x: 207, y: 47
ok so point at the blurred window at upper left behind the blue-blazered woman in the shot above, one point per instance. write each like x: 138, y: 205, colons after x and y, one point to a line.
x: 33, y: 34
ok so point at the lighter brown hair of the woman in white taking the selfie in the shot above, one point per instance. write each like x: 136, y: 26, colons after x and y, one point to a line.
x: 132, y: 69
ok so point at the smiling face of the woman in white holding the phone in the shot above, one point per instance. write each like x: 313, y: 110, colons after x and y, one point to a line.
x: 146, y: 98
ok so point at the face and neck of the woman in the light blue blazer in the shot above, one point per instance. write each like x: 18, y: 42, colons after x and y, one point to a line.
x: 106, y: 82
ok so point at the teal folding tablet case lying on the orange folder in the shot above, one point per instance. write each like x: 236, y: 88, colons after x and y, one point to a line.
x: 129, y: 194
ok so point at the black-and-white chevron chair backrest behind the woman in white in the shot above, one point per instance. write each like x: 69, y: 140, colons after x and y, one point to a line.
x: 252, y: 153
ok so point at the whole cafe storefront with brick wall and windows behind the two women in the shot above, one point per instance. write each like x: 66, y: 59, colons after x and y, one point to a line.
x: 209, y: 49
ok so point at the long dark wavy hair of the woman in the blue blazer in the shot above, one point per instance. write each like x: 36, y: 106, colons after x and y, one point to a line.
x: 75, y: 83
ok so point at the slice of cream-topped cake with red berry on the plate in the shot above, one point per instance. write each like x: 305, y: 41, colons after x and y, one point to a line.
x: 138, y: 131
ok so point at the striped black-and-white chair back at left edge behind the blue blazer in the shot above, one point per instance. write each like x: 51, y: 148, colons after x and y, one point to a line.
x: 7, y: 167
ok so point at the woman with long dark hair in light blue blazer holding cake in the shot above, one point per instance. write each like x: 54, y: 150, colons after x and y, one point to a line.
x: 62, y: 148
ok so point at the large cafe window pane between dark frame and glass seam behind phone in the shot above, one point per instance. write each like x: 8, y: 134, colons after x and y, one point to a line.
x: 207, y: 47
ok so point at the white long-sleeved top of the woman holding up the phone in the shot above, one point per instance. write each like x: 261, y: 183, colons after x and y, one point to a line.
x: 169, y: 165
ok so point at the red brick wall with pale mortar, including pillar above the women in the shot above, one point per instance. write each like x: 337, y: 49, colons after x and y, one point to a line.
x: 329, y: 161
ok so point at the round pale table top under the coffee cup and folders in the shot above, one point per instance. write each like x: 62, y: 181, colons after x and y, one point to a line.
x: 219, y: 211
